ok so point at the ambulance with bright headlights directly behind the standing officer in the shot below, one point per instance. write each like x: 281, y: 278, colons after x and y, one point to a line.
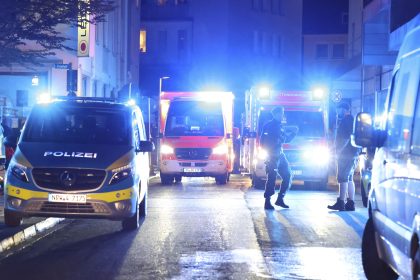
x: 308, y: 153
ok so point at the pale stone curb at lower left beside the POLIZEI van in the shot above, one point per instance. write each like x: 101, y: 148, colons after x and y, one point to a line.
x: 28, y: 233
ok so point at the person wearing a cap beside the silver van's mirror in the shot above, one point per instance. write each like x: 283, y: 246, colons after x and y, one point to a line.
x: 347, y: 157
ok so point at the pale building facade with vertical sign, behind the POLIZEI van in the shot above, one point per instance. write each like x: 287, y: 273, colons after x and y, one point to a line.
x: 110, y: 68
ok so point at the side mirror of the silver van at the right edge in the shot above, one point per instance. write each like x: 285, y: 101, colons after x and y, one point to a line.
x: 363, y: 131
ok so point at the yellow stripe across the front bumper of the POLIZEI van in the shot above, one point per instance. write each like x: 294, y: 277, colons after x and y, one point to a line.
x: 105, y: 197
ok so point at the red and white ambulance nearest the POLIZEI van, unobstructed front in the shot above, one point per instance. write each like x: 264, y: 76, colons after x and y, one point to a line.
x: 196, y: 135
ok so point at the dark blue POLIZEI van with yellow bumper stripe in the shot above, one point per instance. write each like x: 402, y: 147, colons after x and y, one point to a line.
x: 80, y: 158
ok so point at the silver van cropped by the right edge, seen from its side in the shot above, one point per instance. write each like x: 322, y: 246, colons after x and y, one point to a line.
x: 390, y: 245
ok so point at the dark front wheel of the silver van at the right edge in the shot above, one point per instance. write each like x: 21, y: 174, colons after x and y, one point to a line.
x: 373, y: 266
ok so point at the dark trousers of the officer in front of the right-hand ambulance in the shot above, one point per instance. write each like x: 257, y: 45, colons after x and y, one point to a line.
x: 277, y: 165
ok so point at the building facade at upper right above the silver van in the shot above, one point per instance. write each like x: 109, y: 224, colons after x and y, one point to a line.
x: 376, y: 30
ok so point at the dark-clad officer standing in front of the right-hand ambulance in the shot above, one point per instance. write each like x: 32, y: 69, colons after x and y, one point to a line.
x: 272, y: 138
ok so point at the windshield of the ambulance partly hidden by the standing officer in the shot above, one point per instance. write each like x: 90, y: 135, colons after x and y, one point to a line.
x: 310, y: 124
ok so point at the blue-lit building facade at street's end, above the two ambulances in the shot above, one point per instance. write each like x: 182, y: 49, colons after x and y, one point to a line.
x: 232, y: 45
